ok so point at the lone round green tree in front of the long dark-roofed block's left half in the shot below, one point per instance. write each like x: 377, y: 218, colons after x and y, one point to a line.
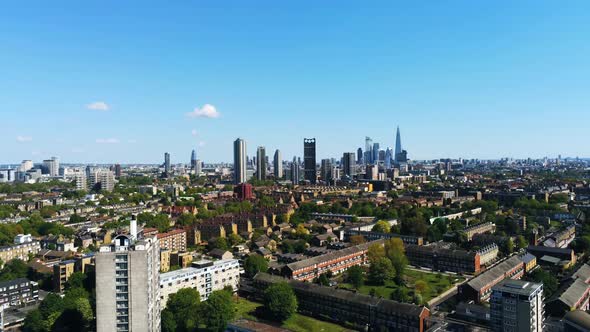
x: 280, y: 301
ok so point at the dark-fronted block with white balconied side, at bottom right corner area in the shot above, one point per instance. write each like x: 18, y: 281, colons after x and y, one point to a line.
x: 517, y: 305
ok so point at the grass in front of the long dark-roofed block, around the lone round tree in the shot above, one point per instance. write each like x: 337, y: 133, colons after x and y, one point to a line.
x: 297, y: 323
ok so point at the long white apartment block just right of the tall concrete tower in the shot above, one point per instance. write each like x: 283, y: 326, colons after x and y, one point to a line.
x: 205, y: 276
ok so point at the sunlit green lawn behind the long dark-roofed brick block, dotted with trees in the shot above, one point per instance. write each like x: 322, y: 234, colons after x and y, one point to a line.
x: 437, y: 283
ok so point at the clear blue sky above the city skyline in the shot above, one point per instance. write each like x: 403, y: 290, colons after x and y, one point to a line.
x: 114, y: 82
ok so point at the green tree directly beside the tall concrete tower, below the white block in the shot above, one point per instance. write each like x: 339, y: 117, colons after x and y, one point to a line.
x: 184, y: 305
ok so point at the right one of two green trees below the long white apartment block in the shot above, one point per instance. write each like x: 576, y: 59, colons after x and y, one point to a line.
x: 218, y: 310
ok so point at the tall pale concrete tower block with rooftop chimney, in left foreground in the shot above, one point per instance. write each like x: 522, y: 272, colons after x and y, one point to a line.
x: 127, y: 285
